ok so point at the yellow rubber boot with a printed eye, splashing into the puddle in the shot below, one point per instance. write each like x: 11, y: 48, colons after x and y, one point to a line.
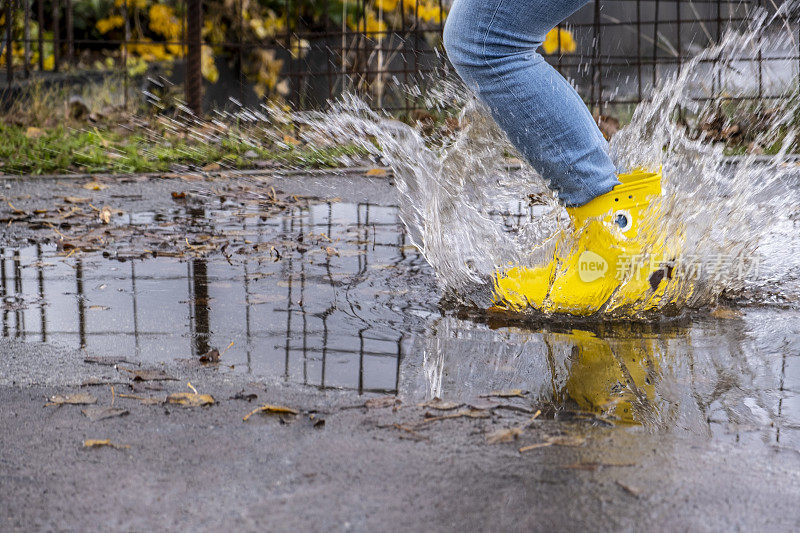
x: 610, y: 263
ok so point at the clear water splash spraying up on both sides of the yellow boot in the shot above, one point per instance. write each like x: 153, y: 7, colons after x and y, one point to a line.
x: 471, y: 214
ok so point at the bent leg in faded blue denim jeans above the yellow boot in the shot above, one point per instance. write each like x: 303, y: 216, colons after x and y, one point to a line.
x: 492, y: 45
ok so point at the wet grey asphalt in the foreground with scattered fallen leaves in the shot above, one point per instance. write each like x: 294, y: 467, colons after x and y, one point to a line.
x: 347, y: 461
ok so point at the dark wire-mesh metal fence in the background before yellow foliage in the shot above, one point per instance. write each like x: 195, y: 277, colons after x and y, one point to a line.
x: 624, y: 47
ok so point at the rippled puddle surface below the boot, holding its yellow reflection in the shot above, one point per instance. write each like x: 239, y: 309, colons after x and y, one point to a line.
x: 738, y: 376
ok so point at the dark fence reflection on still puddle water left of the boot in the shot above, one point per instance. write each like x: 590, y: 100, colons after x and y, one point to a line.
x: 329, y: 318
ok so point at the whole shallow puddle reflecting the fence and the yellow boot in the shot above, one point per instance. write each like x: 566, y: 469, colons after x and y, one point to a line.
x: 359, y: 309
